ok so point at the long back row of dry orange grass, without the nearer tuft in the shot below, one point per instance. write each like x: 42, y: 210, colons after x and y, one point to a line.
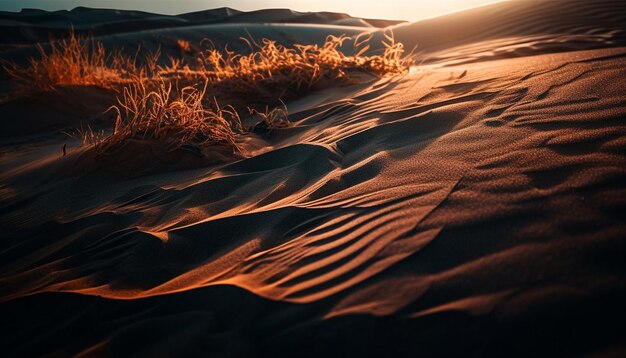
x: 269, y: 66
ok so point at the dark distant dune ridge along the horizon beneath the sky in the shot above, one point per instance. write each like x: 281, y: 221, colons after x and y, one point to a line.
x: 37, y: 25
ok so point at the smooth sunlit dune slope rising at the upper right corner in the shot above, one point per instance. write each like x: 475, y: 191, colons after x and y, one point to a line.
x: 518, y: 28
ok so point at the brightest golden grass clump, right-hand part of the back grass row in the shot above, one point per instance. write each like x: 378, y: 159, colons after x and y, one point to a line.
x: 272, y: 69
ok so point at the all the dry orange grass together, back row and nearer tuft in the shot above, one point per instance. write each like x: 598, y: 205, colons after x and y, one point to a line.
x: 175, y: 103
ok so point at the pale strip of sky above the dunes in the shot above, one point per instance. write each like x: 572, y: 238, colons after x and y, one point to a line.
x: 410, y: 10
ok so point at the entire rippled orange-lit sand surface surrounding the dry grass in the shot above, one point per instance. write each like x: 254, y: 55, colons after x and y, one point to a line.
x: 473, y: 206
